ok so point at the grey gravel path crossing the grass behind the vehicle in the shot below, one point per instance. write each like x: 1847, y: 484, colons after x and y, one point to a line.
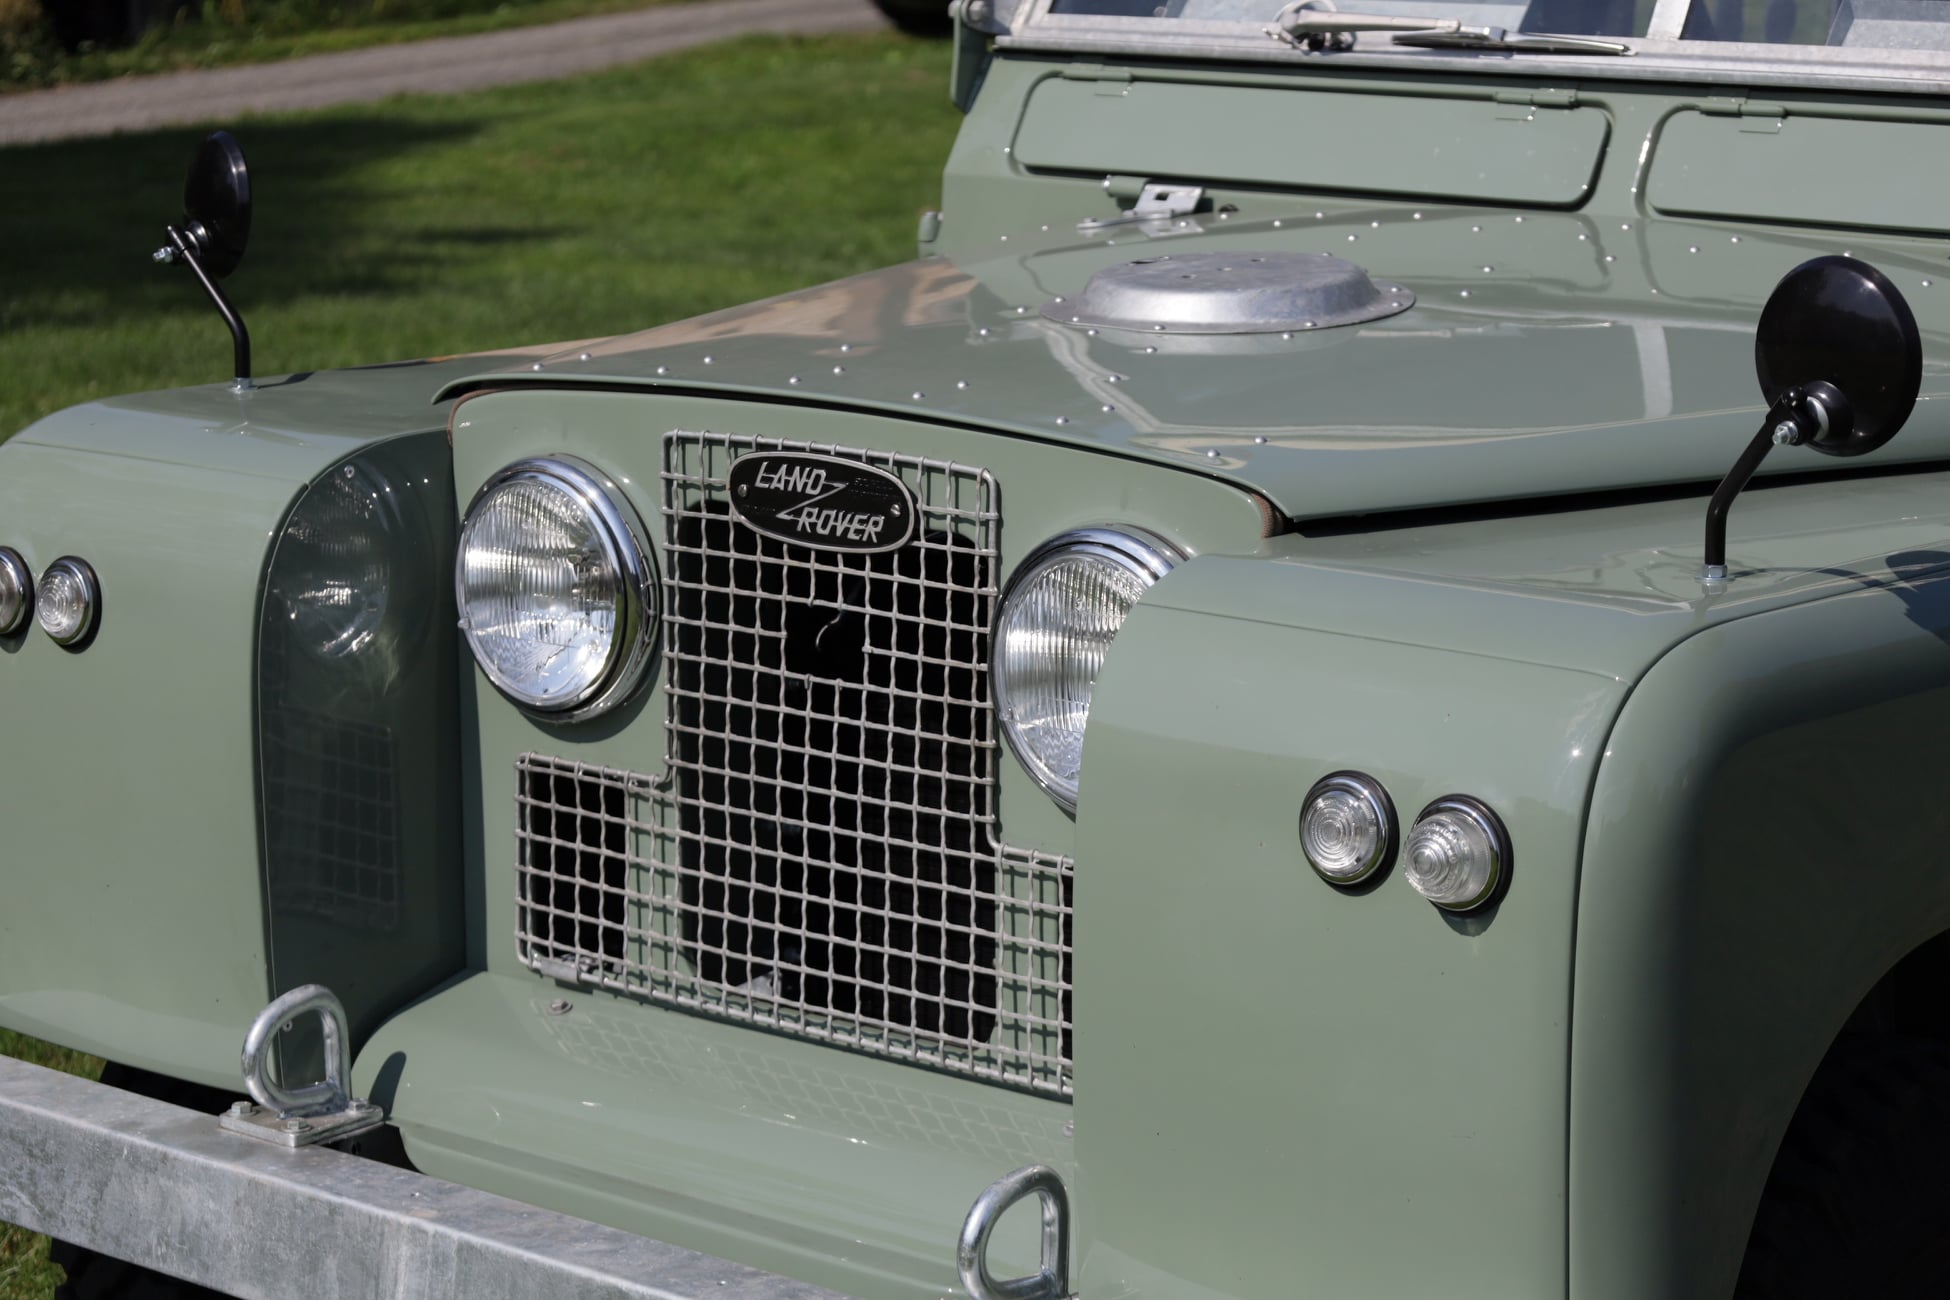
x: 420, y: 69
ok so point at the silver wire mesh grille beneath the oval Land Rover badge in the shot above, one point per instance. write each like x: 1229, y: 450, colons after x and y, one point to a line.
x: 822, y: 853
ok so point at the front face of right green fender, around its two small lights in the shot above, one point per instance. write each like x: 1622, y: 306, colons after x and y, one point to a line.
x: 1284, y: 1087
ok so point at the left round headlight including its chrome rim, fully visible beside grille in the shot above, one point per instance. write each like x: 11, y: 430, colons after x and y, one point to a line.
x: 557, y: 590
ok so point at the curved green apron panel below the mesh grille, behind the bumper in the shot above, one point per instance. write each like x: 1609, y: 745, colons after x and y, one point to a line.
x: 841, y: 1170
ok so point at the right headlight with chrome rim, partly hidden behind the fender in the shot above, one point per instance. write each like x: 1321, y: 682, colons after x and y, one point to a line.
x: 1058, y: 621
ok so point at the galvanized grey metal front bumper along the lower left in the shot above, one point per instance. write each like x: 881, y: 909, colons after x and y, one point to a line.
x: 169, y: 1190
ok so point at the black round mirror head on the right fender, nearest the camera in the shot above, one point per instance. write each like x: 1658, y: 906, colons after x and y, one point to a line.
x: 1842, y: 323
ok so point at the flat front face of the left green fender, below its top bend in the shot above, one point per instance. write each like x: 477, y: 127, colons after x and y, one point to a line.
x: 139, y: 845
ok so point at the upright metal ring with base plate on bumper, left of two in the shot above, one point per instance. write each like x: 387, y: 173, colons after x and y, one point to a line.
x: 319, y: 1112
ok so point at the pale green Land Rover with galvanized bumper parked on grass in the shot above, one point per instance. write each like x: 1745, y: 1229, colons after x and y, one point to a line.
x: 1222, y: 703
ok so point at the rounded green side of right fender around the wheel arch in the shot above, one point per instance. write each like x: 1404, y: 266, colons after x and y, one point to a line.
x: 1766, y: 843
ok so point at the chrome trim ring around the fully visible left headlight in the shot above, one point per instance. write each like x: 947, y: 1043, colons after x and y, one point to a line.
x: 625, y: 545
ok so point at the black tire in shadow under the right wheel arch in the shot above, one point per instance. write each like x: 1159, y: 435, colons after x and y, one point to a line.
x: 1859, y: 1200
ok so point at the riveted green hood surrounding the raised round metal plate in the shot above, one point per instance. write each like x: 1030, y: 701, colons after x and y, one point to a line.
x: 1545, y: 354
